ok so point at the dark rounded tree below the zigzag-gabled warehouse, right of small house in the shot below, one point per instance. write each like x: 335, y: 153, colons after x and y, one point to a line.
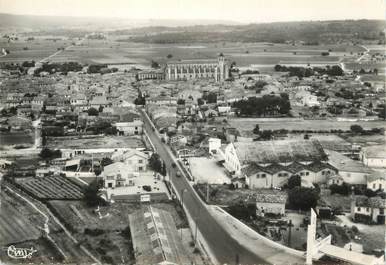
x: 303, y: 198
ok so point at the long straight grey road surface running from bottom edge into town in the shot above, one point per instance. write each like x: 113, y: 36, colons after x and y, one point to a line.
x: 225, y: 248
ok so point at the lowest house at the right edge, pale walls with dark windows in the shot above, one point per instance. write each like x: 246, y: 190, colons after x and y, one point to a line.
x: 368, y: 210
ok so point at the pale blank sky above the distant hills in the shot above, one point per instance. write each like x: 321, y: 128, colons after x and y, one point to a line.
x: 245, y: 11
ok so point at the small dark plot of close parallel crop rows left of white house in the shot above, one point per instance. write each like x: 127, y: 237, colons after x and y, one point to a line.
x: 51, y: 188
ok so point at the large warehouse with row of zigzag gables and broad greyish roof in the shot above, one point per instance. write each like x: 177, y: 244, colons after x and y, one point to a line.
x: 270, y: 164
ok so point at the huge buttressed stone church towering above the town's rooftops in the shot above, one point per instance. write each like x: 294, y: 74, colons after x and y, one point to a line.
x: 198, y: 69
